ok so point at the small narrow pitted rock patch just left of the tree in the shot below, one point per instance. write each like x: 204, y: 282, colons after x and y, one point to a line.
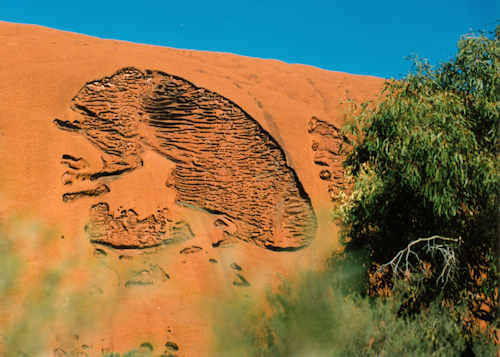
x: 327, y: 145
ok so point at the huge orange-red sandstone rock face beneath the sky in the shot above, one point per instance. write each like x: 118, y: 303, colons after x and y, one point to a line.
x: 173, y: 167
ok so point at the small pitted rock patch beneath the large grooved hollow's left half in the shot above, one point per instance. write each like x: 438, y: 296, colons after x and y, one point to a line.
x: 127, y: 231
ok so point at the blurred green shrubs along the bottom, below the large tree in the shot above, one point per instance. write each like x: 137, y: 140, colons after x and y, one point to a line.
x: 315, y: 316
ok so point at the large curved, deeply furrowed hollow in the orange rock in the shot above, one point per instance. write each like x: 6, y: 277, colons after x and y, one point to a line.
x: 226, y: 163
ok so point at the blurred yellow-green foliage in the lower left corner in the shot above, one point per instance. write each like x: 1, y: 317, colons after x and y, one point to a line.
x: 36, y: 302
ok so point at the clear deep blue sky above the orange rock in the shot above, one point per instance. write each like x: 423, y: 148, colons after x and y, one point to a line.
x: 362, y: 37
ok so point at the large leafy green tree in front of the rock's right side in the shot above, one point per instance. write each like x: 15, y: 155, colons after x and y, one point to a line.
x: 425, y: 162
